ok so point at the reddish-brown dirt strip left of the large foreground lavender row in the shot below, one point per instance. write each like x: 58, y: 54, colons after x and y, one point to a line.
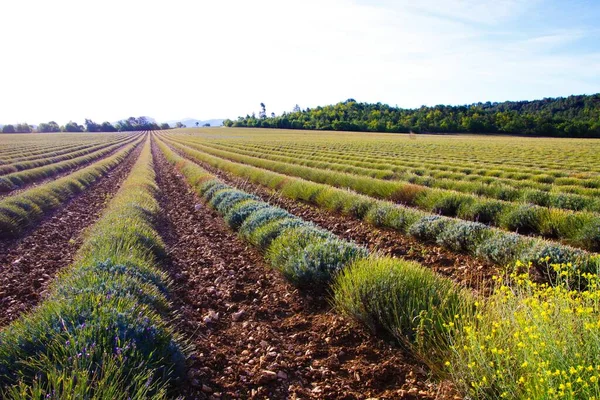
x: 28, y: 263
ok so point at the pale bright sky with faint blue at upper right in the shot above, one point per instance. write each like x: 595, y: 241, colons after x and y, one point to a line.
x: 107, y: 60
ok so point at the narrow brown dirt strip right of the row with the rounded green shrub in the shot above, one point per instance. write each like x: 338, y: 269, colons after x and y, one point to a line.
x: 466, y: 270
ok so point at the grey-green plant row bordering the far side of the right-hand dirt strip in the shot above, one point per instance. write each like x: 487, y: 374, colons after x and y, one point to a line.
x: 491, y: 244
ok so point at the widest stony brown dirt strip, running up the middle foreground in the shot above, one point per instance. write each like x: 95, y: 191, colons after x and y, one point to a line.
x: 254, y: 334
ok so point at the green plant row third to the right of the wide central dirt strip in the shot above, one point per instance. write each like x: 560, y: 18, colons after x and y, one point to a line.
x: 574, y: 228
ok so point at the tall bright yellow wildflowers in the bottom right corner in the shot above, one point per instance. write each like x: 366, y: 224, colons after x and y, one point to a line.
x: 532, y: 340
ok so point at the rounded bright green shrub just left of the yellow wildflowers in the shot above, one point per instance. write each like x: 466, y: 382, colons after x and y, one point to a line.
x: 403, y: 299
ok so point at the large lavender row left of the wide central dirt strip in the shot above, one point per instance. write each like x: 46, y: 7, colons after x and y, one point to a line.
x: 101, y: 332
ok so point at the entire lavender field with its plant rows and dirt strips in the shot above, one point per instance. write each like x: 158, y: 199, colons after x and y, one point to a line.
x: 246, y: 263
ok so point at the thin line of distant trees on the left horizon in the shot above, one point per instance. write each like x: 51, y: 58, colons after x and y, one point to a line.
x: 125, y: 125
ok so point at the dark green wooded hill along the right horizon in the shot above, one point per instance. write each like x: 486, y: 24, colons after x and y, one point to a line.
x: 573, y: 116
